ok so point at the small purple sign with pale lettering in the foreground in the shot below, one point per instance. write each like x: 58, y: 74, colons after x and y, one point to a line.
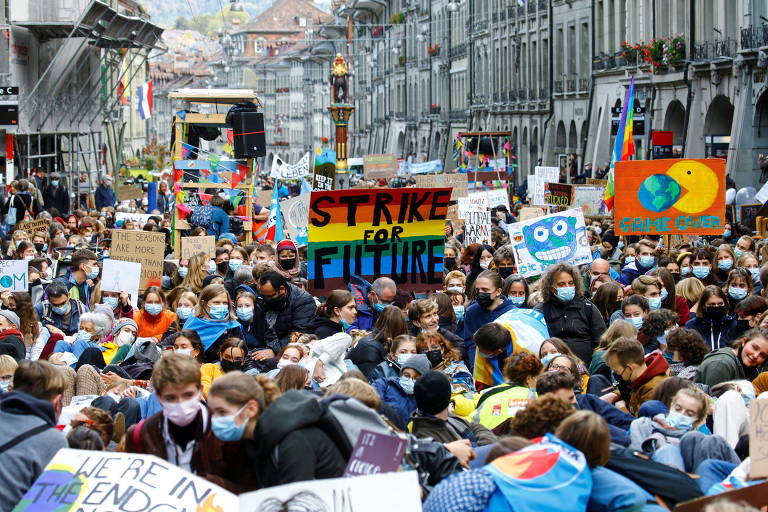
x: 375, y: 453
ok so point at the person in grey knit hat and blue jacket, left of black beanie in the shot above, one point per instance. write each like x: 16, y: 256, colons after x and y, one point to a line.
x: 397, y: 392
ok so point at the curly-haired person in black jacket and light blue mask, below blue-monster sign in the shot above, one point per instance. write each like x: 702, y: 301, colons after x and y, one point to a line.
x: 569, y: 315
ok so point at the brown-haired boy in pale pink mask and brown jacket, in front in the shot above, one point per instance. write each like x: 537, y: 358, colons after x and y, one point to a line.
x: 181, y: 432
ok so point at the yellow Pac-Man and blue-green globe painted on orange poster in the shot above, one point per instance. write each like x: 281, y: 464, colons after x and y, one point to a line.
x: 687, y: 186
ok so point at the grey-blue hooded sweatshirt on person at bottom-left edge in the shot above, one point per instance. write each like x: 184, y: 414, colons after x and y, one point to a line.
x: 24, y: 462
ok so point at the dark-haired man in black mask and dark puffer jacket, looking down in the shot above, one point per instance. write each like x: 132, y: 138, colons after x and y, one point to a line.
x: 287, y: 309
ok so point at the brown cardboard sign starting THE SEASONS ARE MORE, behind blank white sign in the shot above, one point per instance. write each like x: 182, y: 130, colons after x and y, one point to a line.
x: 143, y: 247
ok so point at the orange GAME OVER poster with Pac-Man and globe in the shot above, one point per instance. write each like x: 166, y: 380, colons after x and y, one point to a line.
x: 670, y: 197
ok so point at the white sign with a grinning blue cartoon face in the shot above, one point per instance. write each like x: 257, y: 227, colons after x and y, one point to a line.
x: 547, y: 240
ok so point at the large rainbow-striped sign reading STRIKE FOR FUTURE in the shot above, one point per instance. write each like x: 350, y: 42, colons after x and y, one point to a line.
x: 369, y: 233
